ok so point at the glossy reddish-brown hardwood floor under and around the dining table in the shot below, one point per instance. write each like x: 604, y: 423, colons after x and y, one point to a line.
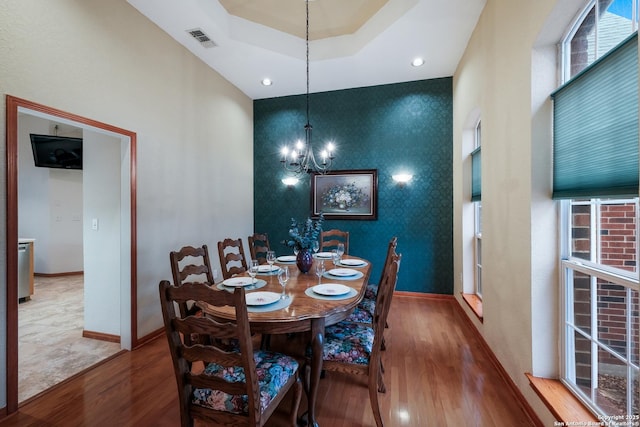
x: 437, y: 374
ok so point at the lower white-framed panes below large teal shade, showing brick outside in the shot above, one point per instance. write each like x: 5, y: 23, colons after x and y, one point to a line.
x: 601, y: 306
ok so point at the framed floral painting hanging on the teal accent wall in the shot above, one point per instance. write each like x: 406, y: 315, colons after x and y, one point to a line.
x: 349, y: 194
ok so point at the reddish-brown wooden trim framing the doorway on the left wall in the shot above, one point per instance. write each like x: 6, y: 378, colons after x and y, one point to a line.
x: 13, y: 105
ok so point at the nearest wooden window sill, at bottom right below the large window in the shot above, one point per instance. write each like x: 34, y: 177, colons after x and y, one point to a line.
x: 564, y: 406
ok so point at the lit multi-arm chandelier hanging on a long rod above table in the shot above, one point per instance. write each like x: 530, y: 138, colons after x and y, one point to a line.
x: 300, y: 159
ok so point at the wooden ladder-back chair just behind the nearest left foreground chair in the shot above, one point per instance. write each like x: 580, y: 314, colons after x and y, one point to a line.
x: 188, y: 264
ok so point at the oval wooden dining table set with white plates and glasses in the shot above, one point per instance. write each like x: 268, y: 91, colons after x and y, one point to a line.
x: 305, y: 307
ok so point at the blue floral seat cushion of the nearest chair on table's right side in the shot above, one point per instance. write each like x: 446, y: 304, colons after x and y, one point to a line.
x: 348, y: 342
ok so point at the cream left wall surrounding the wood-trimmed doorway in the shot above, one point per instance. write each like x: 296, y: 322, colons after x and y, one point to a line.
x: 105, y: 61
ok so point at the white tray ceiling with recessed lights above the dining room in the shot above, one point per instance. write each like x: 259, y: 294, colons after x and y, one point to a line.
x: 354, y: 43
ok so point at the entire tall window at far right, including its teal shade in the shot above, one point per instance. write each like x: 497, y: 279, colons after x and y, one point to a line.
x: 599, y: 208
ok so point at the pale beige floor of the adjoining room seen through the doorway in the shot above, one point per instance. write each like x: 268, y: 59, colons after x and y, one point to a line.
x: 51, y: 346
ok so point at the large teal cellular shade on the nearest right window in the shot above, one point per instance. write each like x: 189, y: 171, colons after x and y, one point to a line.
x: 595, y: 129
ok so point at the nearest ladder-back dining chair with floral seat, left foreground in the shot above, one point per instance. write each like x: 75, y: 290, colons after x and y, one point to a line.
x: 241, y: 387
